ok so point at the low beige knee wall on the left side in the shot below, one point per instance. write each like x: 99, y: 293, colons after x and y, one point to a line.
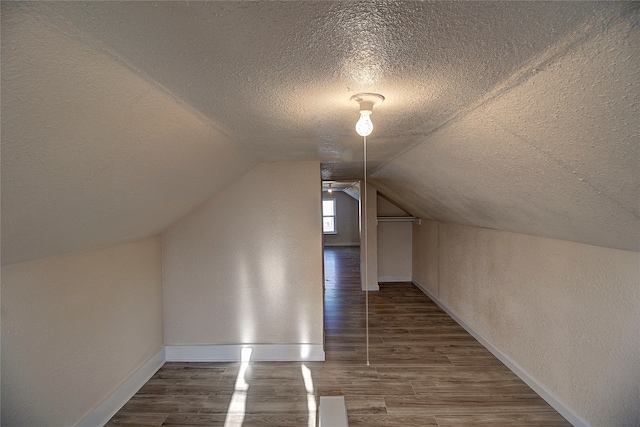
x: 75, y: 327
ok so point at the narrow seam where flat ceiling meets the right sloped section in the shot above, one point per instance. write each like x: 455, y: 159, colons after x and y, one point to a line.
x: 589, y: 29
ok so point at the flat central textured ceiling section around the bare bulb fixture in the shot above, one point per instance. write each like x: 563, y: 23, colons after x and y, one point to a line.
x: 278, y: 76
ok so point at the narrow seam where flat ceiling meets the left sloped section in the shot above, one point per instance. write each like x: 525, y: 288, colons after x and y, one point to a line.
x: 58, y: 23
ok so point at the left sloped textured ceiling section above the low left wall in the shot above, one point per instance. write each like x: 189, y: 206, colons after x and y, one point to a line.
x: 93, y: 154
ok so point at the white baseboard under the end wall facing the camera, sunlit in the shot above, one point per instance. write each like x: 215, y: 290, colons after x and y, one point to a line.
x: 233, y: 353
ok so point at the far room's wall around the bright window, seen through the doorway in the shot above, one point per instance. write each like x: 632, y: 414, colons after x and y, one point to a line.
x: 347, y: 220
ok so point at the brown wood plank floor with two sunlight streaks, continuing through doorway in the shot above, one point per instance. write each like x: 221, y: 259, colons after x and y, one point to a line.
x: 425, y: 370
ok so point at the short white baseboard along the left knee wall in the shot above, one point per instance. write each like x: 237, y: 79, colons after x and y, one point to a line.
x: 102, y: 413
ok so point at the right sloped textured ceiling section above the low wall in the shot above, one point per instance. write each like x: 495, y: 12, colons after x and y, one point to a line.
x: 557, y: 154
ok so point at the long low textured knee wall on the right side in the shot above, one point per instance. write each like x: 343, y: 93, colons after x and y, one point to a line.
x: 566, y: 313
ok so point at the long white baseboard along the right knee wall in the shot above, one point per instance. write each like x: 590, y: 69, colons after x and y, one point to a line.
x: 570, y: 415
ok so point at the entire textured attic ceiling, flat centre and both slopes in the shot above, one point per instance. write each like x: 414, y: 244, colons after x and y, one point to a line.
x: 118, y: 118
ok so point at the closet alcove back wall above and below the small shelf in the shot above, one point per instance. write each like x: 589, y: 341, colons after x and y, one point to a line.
x: 394, y: 244
